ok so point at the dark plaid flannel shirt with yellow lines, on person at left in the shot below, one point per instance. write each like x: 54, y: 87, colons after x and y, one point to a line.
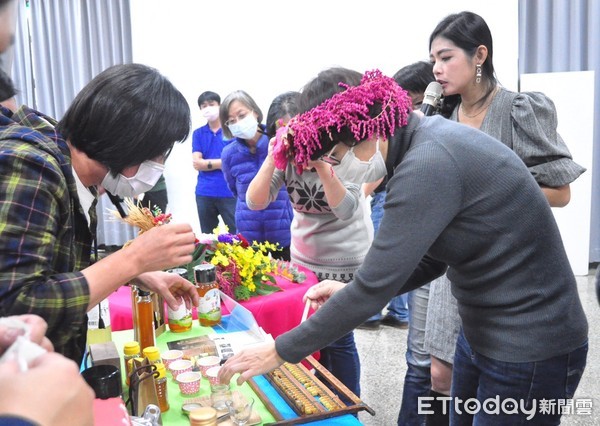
x: 44, y: 235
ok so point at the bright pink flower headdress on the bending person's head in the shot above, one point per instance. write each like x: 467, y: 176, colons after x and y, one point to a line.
x: 297, y: 141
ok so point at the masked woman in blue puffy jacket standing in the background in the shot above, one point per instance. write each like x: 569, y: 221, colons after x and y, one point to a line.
x: 240, y: 161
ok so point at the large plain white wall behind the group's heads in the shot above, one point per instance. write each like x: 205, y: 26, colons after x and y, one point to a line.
x: 270, y: 47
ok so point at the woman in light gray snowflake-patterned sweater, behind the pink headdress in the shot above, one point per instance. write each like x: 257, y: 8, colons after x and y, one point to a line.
x: 331, y: 231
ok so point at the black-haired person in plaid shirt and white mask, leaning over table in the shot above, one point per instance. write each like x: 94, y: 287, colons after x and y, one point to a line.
x: 116, y: 133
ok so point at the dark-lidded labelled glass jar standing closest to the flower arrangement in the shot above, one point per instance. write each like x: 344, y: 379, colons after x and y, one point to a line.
x: 209, y: 308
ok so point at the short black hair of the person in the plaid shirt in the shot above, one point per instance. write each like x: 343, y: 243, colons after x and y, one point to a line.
x: 126, y: 115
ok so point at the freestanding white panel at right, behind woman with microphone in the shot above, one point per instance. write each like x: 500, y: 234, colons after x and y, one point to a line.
x: 573, y: 95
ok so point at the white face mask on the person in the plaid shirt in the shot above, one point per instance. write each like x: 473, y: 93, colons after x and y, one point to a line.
x: 144, y: 180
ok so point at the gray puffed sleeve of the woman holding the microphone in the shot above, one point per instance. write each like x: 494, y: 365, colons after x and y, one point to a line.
x: 536, y: 140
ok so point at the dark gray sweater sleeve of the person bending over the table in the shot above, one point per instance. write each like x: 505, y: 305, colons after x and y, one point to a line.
x: 420, y: 203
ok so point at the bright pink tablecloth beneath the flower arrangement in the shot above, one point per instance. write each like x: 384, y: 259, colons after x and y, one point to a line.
x: 275, y: 313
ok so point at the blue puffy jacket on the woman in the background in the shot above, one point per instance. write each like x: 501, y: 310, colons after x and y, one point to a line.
x: 239, y: 167
